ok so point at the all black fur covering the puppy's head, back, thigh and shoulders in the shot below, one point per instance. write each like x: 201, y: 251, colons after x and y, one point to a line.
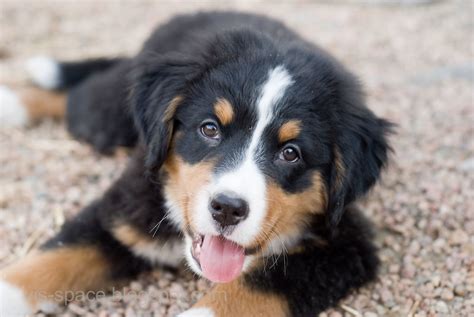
x: 209, y: 55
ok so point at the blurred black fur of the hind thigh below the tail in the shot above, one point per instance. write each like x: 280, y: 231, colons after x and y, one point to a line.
x: 105, y: 94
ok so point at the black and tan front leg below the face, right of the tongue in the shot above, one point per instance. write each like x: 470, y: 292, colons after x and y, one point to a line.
x: 312, y: 277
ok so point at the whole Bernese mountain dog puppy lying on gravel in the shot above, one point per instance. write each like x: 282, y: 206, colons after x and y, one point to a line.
x: 251, y: 146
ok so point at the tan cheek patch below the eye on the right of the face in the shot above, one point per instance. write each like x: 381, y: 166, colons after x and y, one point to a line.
x: 279, y: 220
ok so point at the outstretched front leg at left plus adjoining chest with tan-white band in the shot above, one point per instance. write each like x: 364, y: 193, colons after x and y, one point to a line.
x: 110, y: 241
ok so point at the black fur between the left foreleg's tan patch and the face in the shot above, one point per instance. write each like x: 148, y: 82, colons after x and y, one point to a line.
x: 134, y: 200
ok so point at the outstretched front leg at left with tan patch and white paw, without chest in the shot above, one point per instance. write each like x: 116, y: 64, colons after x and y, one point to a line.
x: 83, y: 257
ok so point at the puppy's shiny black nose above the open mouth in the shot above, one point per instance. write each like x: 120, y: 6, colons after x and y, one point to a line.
x: 228, y: 211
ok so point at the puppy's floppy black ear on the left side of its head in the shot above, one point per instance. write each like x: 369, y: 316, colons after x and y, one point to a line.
x: 159, y: 86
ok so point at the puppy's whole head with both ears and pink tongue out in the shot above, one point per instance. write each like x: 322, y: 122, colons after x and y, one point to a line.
x: 252, y: 143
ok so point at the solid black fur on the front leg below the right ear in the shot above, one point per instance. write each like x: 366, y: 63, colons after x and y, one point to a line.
x: 329, y: 268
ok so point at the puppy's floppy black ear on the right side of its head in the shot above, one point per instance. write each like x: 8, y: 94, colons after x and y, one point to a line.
x: 359, y: 154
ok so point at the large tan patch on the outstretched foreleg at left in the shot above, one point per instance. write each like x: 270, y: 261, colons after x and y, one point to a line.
x: 49, y: 275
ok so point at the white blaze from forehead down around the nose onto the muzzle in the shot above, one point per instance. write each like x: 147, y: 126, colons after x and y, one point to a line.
x: 247, y: 181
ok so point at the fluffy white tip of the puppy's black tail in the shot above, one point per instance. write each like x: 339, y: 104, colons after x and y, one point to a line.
x: 44, y: 72
